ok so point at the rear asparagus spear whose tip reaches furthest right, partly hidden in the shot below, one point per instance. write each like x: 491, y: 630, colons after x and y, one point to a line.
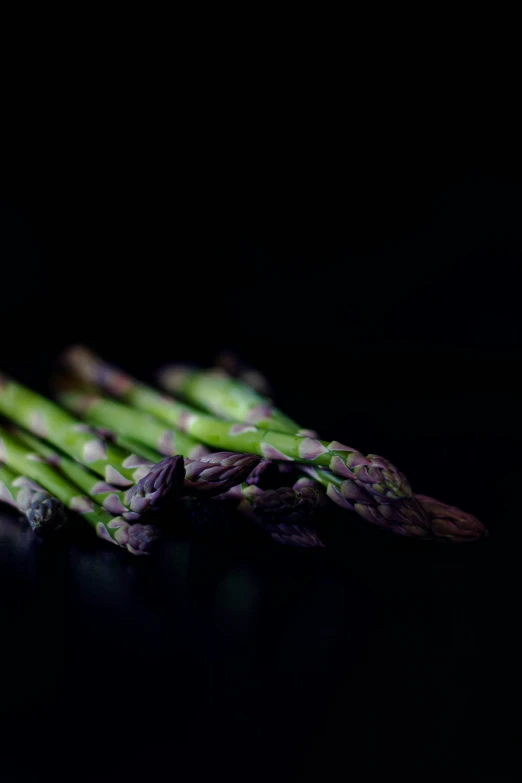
x: 227, y: 396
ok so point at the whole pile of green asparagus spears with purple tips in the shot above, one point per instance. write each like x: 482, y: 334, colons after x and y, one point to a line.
x: 122, y: 449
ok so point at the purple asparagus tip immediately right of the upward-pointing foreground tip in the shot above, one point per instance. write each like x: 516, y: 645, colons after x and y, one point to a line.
x: 217, y: 472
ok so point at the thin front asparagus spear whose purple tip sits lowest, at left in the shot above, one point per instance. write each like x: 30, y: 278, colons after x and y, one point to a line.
x: 137, y: 539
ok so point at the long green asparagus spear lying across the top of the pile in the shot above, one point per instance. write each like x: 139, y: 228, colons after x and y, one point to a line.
x: 377, y: 475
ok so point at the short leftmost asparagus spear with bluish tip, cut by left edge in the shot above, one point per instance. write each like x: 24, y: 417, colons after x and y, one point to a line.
x: 45, y: 514
